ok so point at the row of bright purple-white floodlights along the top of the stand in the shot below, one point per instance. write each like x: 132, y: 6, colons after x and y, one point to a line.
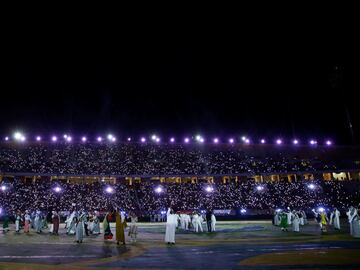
x: 18, y: 136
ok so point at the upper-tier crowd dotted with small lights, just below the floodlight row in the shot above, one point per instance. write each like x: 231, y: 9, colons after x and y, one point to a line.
x: 151, y: 159
